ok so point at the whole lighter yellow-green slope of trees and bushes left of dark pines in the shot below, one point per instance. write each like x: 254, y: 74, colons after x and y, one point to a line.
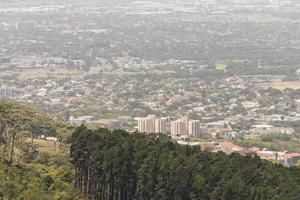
x: 29, y: 167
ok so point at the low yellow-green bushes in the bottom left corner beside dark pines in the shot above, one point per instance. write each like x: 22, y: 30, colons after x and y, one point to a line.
x: 34, y: 182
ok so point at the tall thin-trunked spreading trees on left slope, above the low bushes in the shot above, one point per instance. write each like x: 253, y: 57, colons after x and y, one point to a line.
x: 18, y: 124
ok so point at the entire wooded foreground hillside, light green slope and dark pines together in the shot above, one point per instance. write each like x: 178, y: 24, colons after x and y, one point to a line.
x: 117, y: 165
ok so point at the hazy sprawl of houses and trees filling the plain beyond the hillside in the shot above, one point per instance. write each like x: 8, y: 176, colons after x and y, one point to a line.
x: 201, y: 61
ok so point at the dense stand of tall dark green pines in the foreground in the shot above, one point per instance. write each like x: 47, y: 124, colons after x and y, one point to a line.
x: 119, y: 165
